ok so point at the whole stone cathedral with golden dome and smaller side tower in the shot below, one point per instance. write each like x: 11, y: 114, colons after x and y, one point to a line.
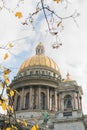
x: 43, y: 91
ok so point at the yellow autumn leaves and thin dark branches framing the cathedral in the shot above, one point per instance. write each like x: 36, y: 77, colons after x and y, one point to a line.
x: 7, y: 103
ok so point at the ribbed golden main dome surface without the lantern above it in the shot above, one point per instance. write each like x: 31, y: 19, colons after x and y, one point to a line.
x: 39, y: 60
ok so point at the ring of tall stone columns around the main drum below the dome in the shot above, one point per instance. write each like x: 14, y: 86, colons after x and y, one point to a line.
x: 42, y: 97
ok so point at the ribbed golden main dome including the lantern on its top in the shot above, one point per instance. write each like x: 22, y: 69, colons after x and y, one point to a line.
x: 40, y: 60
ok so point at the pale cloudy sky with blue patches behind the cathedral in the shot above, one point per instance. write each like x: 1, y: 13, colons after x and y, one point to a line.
x: 70, y: 57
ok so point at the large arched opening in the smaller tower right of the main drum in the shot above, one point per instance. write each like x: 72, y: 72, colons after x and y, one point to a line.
x: 67, y: 102
